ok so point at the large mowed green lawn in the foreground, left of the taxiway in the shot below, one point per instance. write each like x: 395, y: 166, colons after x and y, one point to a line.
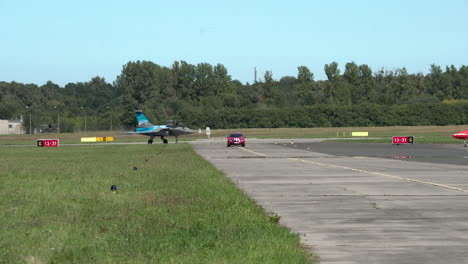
x: 56, y: 206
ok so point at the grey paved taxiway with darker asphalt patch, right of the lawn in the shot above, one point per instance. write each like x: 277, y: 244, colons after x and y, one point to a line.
x: 358, y: 203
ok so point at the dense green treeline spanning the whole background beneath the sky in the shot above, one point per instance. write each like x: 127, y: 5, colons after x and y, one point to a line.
x: 205, y: 95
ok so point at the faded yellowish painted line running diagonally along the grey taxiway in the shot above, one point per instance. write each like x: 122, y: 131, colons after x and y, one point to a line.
x: 367, y: 172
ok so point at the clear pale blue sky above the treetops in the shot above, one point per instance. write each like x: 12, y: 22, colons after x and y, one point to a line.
x: 73, y: 41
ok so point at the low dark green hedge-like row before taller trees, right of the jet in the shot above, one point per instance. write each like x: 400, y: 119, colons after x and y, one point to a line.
x: 340, y: 116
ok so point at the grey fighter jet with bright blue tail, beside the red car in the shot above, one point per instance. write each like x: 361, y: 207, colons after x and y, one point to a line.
x: 172, y: 128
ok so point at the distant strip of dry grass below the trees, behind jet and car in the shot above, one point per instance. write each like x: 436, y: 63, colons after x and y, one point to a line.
x: 423, y: 134
